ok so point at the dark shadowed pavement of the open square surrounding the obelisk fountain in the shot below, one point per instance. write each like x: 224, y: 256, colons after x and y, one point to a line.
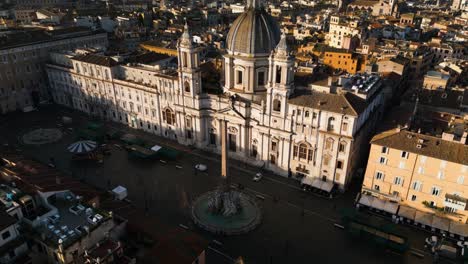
x: 297, y: 227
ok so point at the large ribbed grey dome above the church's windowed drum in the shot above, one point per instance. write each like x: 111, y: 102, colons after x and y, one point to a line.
x: 253, y: 32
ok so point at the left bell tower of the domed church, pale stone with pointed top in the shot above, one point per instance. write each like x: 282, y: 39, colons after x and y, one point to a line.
x: 189, y: 65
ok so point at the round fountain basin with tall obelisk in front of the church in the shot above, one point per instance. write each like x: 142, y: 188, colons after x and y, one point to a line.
x: 226, y: 210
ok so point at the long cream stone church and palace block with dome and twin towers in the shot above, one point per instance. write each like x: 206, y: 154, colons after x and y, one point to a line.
x: 312, y: 134
